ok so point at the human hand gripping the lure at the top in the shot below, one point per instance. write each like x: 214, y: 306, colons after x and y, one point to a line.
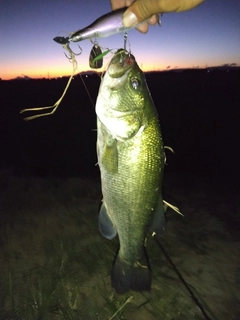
x: 141, y: 10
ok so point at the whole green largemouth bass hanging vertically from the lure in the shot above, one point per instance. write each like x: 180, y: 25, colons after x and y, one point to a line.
x: 131, y: 160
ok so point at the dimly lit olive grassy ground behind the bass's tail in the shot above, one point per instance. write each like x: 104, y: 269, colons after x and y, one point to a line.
x: 55, y: 265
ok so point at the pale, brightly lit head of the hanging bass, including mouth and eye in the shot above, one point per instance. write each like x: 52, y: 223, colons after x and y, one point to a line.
x: 122, y: 97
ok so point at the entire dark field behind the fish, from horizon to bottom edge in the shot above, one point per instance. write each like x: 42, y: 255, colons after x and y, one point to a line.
x: 54, y: 262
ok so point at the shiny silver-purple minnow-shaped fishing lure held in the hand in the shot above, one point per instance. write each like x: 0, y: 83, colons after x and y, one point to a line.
x: 105, y: 26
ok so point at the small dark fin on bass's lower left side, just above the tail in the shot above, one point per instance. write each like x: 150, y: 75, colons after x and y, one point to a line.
x: 106, y: 226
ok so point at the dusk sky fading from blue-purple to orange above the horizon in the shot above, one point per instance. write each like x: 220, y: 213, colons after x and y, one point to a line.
x: 208, y: 35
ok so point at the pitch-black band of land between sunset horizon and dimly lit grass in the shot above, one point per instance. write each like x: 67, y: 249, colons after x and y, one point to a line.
x: 198, y: 112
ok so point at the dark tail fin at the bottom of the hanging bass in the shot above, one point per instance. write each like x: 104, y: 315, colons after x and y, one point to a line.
x: 135, y: 276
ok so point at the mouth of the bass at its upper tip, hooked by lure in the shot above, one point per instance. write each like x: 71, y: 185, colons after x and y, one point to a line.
x: 122, y: 62
